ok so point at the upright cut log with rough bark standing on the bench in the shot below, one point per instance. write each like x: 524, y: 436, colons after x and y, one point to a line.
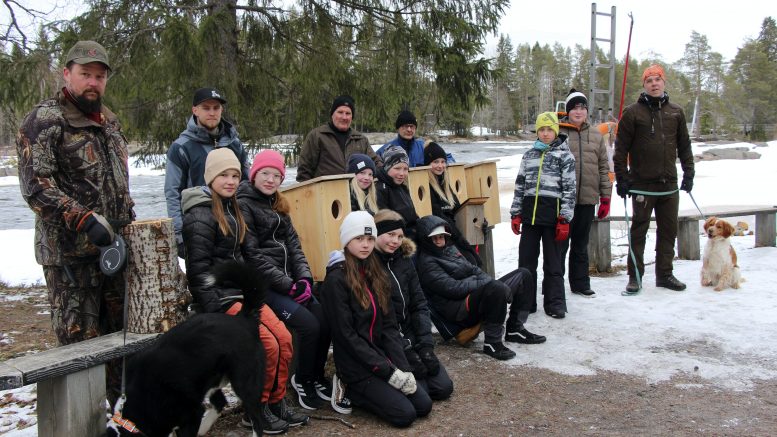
x: 156, y: 286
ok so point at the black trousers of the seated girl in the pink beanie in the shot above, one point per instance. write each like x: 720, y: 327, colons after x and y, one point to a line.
x: 312, y: 330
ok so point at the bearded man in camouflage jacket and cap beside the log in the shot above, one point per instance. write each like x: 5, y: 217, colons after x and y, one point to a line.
x: 73, y: 174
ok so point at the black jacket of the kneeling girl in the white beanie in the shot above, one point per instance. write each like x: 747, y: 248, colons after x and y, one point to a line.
x: 366, y: 341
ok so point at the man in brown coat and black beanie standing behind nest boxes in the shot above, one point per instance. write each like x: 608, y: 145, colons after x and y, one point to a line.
x: 326, y: 148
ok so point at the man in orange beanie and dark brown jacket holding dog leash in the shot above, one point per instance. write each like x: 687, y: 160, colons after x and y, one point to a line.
x: 652, y: 134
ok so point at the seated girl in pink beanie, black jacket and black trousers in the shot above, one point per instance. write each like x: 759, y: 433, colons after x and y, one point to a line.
x: 273, y: 247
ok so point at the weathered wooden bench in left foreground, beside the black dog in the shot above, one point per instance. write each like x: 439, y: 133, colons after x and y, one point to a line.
x: 71, y: 382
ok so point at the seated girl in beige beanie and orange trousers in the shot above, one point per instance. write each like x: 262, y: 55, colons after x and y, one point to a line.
x: 213, y: 230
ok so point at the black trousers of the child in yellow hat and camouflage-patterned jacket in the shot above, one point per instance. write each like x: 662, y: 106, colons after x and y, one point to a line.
x: 552, y: 264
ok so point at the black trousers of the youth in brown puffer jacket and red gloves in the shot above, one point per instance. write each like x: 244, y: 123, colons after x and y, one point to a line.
x: 579, y: 229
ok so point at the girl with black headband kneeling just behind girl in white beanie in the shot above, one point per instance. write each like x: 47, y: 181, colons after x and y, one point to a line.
x: 412, y: 313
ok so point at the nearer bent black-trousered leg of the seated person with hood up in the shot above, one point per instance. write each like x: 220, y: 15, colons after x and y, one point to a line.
x: 488, y: 305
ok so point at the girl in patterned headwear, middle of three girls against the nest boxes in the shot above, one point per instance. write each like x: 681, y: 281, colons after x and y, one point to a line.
x: 393, y: 192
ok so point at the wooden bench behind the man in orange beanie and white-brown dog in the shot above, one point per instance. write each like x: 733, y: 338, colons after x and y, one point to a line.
x: 688, y: 246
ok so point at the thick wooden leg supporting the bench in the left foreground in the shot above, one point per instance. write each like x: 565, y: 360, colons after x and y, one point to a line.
x: 72, y: 405
